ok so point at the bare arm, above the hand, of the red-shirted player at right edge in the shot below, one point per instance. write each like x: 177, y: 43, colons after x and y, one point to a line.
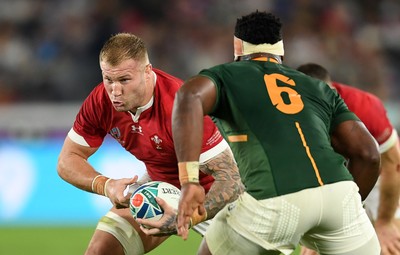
x: 389, y: 183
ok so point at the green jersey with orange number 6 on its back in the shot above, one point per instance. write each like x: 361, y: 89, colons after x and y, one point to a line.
x: 278, y: 123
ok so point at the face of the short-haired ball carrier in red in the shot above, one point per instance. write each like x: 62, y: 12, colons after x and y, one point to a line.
x: 128, y: 84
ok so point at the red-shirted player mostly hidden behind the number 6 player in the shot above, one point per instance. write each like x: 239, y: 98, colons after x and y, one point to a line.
x: 382, y: 204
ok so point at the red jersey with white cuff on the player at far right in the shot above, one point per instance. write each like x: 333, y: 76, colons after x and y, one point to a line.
x: 371, y: 111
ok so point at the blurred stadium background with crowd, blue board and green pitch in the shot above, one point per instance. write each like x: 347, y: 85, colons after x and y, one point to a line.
x: 49, y: 63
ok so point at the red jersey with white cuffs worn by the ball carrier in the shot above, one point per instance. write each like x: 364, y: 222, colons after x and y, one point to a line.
x: 149, y: 138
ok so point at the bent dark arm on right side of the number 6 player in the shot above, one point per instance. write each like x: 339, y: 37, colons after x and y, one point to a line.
x: 353, y: 141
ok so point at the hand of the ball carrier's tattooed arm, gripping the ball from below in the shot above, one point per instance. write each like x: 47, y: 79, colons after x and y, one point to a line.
x: 164, y: 226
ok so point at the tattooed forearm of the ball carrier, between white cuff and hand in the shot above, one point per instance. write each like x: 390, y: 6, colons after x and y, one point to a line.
x: 227, y: 185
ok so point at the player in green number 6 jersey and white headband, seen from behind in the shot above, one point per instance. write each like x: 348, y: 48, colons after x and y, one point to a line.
x: 290, y: 138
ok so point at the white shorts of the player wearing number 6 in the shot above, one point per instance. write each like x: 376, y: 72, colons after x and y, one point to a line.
x: 329, y: 219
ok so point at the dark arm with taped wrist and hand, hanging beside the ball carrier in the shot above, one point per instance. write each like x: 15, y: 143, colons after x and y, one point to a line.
x: 194, y: 100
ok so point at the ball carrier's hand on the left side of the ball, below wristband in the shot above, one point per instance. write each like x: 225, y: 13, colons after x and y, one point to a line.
x: 115, y: 190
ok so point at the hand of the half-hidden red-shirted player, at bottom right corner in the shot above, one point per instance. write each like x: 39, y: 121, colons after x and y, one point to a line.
x: 389, y: 237
